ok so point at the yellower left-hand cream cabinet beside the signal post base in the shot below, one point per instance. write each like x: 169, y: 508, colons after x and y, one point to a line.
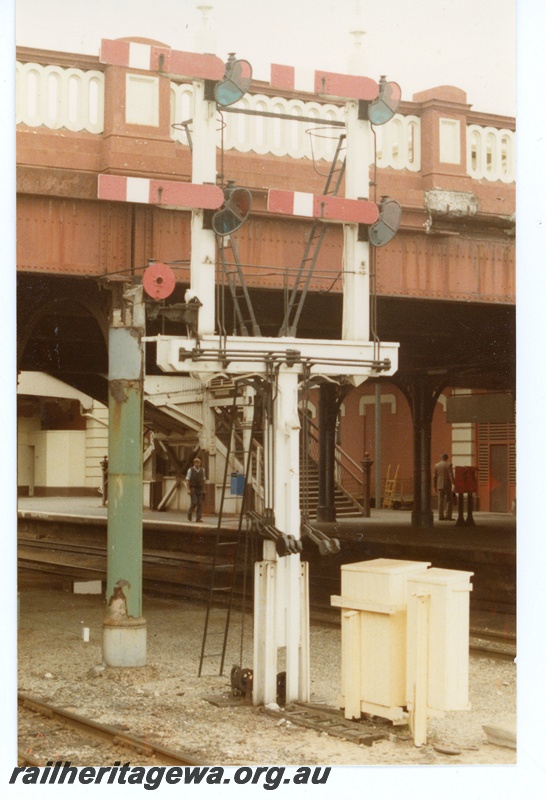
x: 373, y: 612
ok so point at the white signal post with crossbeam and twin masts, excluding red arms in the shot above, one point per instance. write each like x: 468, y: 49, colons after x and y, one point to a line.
x: 281, y: 600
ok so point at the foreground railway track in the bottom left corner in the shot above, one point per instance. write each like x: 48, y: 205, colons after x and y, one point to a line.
x: 48, y: 733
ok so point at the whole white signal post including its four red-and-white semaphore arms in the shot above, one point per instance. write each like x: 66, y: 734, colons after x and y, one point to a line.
x: 281, y: 601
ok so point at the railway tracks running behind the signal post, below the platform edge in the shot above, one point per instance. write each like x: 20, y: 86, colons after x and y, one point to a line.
x: 187, y: 574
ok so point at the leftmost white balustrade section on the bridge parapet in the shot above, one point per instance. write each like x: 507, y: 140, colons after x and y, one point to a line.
x: 60, y: 98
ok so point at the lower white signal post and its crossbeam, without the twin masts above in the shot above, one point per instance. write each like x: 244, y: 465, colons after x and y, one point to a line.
x: 281, y: 595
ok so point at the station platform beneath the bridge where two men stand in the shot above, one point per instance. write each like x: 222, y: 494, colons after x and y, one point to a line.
x: 487, y: 549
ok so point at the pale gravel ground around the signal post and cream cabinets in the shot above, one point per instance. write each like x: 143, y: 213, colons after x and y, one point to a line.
x: 166, y: 701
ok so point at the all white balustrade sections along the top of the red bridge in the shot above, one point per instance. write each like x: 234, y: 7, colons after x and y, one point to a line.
x: 57, y: 97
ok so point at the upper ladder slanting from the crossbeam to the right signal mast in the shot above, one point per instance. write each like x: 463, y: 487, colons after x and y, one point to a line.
x: 311, y: 253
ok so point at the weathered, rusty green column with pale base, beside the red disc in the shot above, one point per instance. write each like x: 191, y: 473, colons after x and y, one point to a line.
x: 124, y: 628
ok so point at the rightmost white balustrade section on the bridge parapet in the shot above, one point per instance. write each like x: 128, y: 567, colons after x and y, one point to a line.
x: 491, y: 153
